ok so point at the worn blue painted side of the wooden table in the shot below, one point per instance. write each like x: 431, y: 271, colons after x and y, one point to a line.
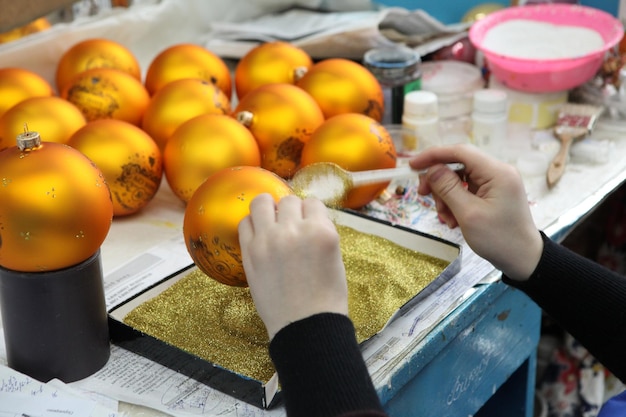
x: 469, y: 356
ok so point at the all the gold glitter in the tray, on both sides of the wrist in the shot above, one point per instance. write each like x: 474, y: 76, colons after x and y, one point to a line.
x: 219, y: 323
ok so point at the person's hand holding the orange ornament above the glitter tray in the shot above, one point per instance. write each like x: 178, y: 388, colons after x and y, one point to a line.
x: 292, y: 260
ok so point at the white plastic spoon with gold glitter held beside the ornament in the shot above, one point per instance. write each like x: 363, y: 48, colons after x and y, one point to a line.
x: 330, y: 183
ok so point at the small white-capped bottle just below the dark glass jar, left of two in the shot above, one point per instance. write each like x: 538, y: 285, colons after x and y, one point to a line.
x: 420, y: 120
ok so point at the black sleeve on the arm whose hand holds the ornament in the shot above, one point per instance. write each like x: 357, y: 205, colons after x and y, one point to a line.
x: 321, y: 369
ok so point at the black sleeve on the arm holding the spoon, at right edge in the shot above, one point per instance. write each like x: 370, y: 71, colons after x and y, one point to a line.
x: 587, y: 299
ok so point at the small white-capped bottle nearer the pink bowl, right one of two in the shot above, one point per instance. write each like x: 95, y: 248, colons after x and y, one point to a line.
x: 490, y: 120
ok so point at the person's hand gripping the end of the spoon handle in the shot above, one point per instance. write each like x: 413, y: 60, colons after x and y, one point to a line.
x: 491, y: 209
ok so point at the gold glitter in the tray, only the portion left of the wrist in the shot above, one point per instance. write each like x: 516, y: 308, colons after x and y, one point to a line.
x: 211, y: 320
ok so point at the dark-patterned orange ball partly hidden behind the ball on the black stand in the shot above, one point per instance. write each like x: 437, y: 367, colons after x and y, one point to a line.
x: 129, y: 159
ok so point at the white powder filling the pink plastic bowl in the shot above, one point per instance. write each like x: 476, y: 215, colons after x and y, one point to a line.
x: 530, y: 39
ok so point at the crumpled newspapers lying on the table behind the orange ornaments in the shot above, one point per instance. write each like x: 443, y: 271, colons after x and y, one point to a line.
x: 338, y: 34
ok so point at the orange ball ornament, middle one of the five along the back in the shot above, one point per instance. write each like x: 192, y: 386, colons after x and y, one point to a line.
x: 188, y: 61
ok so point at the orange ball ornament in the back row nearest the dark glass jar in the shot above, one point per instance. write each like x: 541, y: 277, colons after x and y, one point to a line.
x: 343, y: 86
